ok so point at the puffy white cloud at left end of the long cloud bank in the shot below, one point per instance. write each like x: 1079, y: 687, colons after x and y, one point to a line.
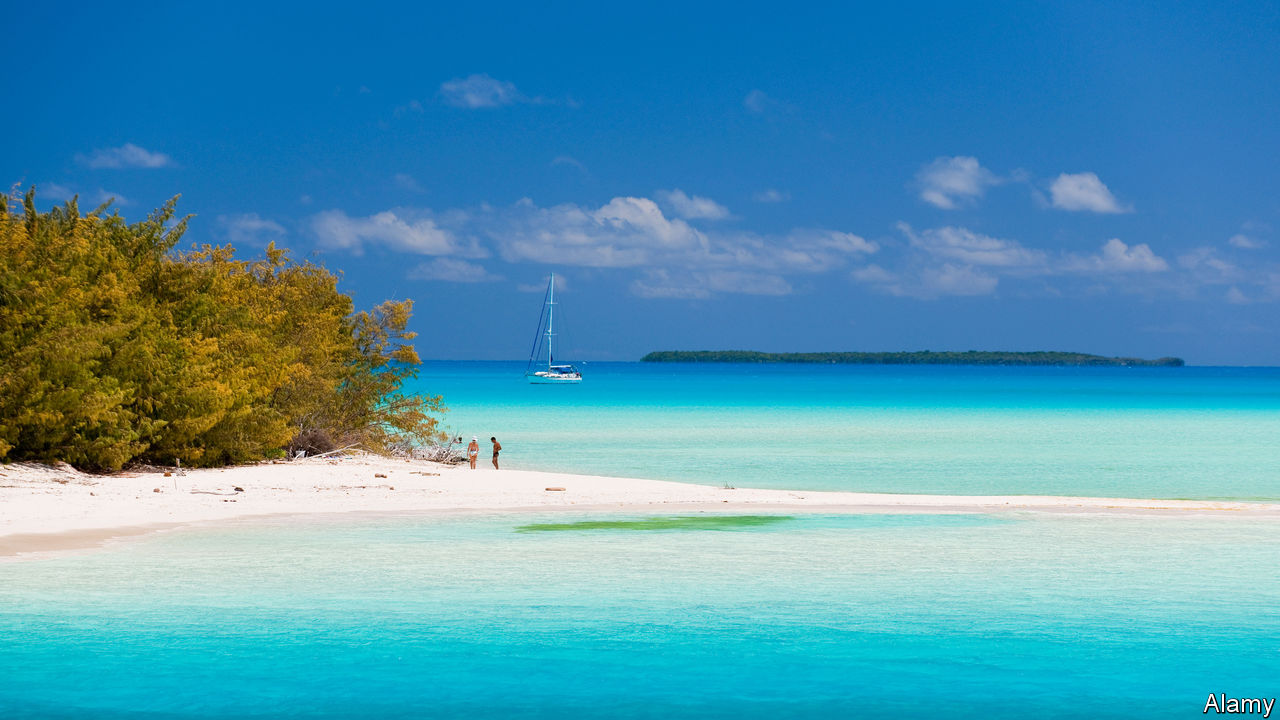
x: 339, y: 231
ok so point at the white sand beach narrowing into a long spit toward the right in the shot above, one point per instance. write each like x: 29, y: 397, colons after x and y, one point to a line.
x: 53, y: 509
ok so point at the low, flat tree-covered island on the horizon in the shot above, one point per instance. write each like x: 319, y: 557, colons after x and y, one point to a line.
x: 917, y: 358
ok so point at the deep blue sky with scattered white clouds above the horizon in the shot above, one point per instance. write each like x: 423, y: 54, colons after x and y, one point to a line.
x: 1098, y: 177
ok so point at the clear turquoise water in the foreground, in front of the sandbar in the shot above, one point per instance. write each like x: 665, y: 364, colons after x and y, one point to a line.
x: 404, y: 617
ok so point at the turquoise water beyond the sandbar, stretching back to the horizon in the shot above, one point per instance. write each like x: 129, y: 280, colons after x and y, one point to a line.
x: 1107, y: 432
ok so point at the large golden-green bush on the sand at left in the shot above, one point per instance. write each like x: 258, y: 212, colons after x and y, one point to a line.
x: 116, y: 349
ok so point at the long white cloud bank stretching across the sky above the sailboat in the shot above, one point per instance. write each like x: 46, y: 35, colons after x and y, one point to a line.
x: 673, y: 258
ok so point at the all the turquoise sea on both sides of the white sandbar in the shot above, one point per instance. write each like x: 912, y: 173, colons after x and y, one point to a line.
x: 600, y: 616
